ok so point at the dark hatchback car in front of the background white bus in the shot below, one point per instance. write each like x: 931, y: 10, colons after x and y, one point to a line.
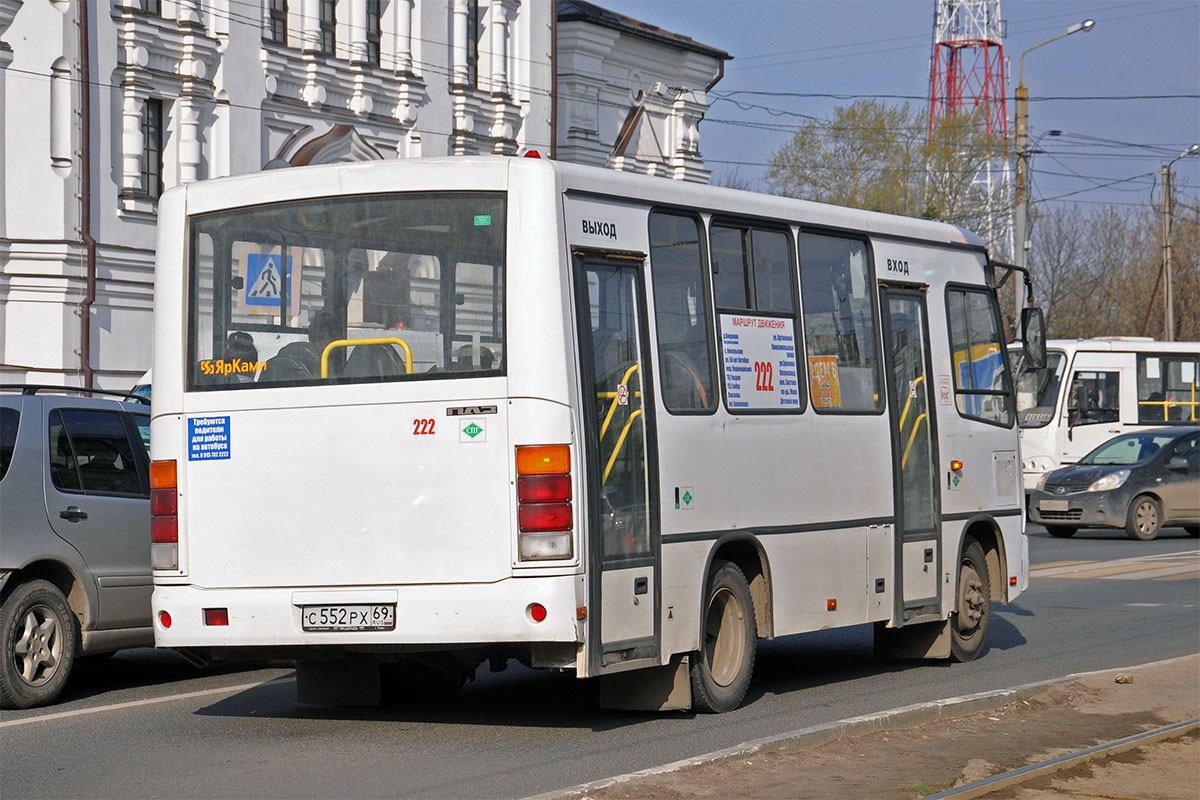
x: 1139, y: 482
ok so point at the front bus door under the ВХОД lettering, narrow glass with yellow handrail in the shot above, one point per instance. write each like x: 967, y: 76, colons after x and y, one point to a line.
x: 919, y: 558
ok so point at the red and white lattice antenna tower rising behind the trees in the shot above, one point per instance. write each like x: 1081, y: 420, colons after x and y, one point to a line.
x: 968, y: 76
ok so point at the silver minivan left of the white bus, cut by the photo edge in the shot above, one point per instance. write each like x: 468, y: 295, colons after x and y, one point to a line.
x: 75, y: 534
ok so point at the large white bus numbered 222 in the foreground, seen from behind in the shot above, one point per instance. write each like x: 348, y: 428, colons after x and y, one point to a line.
x: 417, y: 416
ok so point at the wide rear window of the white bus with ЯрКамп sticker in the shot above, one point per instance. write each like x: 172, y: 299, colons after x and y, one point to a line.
x: 349, y: 290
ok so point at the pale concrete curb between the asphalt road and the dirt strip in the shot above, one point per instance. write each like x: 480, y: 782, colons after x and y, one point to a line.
x: 898, y: 718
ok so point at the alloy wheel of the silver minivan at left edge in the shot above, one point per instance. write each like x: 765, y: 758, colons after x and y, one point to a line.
x: 39, y: 646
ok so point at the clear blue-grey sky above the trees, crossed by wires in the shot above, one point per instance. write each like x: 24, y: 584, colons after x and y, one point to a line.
x: 1103, y: 89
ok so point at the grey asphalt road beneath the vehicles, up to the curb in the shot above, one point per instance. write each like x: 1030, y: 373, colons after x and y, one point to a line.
x: 147, y: 725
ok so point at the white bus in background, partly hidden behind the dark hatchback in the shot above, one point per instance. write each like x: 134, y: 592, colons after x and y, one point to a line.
x: 1091, y: 390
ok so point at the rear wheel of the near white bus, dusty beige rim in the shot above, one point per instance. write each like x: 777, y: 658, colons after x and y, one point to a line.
x: 722, y: 669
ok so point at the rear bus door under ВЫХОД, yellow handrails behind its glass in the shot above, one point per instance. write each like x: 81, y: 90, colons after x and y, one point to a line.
x: 619, y: 450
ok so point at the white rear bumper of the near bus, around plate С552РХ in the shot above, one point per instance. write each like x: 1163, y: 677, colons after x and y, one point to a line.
x: 431, y: 616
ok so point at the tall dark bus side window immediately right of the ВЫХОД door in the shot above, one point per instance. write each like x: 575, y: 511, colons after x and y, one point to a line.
x: 681, y: 314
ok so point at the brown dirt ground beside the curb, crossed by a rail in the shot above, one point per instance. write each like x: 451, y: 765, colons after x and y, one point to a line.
x: 909, y: 763
